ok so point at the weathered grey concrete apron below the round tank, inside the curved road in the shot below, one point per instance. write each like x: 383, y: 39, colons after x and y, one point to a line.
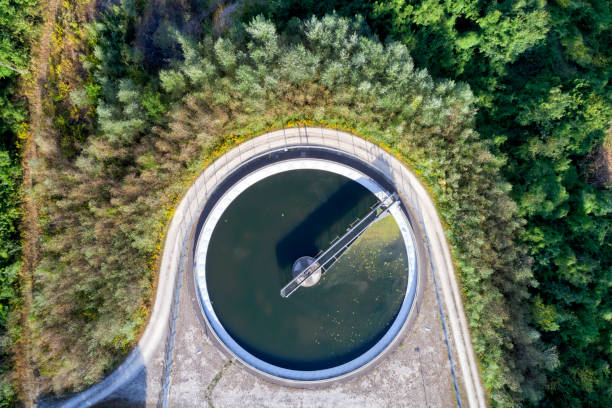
x: 417, y: 374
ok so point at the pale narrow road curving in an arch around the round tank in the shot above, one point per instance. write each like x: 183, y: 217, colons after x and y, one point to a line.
x: 412, y: 193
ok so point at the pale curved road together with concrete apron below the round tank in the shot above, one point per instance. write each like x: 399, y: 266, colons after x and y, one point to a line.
x: 417, y: 374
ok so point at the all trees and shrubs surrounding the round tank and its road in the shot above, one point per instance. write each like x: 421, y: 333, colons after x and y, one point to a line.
x: 500, y: 108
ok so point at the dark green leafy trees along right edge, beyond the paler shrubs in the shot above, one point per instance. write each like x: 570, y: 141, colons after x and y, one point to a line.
x: 547, y: 105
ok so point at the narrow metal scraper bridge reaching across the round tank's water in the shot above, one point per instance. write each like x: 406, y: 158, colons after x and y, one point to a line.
x: 325, y: 259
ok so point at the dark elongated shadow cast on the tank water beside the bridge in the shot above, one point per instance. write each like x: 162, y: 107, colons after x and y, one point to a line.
x: 302, y: 240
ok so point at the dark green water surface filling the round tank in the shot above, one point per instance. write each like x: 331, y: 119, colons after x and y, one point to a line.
x: 251, y: 253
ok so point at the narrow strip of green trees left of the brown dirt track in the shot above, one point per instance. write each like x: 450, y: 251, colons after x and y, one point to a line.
x: 17, y: 28
